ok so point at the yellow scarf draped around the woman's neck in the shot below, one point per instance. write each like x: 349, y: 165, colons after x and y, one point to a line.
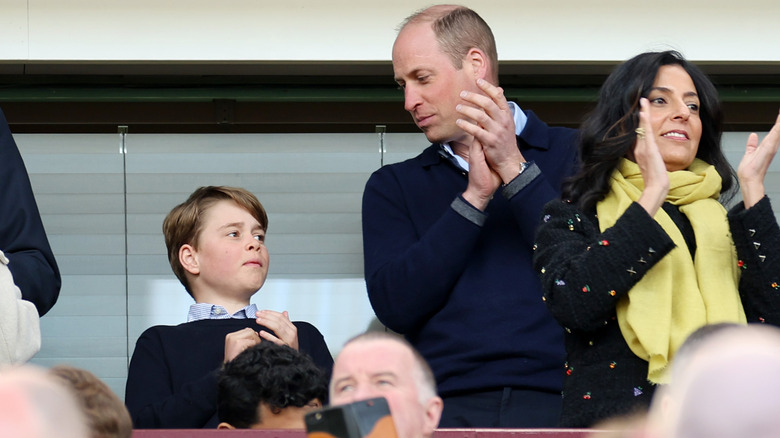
x: 677, y: 295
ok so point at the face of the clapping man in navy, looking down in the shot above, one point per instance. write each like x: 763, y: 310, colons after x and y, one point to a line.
x: 431, y: 84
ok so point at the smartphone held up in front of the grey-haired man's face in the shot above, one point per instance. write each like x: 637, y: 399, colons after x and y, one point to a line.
x: 366, y: 418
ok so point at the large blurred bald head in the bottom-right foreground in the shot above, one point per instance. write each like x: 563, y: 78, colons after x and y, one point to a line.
x: 728, y: 387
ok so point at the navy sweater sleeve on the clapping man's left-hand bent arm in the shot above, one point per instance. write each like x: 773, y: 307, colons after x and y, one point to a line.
x: 409, y: 273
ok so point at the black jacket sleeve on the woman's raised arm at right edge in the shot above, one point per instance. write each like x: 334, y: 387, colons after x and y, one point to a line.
x: 757, y: 239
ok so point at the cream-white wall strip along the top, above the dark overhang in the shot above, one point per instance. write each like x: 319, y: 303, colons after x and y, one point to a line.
x: 351, y: 30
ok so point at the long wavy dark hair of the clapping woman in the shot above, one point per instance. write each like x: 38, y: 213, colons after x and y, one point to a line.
x: 607, y: 134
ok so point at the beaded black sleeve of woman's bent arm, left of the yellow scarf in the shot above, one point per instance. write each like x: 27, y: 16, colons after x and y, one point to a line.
x: 583, y: 271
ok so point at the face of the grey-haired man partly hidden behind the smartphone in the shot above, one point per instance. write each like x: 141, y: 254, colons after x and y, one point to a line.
x: 384, y: 368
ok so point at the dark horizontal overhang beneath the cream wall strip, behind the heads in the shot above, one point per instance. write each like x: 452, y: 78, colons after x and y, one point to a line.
x: 311, y: 96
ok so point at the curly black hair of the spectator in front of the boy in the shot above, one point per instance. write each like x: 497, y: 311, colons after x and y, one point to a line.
x: 275, y: 375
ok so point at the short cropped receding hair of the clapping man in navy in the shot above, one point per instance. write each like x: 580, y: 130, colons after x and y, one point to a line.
x: 458, y: 29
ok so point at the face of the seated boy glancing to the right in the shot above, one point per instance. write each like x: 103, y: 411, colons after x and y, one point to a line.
x: 231, y: 260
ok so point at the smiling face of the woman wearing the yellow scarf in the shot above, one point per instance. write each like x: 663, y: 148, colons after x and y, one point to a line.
x: 674, y: 116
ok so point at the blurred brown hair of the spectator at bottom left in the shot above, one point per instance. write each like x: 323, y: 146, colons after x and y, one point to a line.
x: 106, y: 413
